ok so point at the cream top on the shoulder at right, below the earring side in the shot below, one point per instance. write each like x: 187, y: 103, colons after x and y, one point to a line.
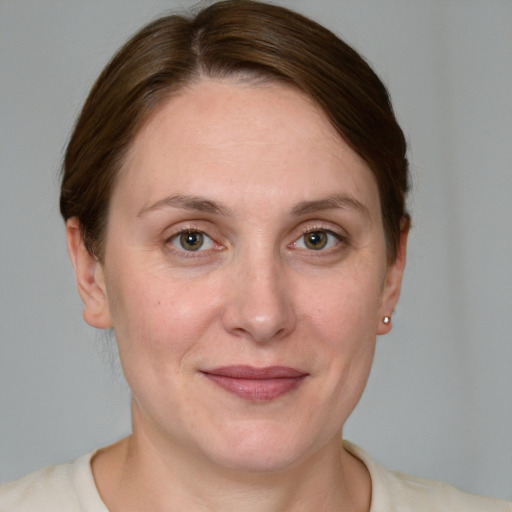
x: 397, y: 492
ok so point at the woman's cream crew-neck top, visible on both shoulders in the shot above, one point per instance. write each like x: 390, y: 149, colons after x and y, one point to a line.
x: 71, y: 488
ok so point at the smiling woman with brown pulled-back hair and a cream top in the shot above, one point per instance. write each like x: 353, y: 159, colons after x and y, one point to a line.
x: 234, y: 197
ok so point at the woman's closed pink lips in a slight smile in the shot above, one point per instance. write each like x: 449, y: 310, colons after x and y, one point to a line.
x: 256, y: 384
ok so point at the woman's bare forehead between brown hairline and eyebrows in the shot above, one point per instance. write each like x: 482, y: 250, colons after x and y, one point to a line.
x: 253, y: 138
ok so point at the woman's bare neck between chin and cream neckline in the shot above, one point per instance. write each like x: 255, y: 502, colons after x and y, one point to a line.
x: 147, y: 472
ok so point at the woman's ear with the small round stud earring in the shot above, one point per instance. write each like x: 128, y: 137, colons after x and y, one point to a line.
x: 393, y: 284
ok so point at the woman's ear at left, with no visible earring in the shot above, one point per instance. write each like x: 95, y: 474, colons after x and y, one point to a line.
x: 89, y: 278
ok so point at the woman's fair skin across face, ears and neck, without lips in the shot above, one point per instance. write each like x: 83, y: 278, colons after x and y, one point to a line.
x: 254, y: 168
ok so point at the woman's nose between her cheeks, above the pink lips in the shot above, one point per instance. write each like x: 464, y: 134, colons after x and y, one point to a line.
x: 260, y: 305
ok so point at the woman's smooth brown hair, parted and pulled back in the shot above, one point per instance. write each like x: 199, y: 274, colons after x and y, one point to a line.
x: 233, y: 38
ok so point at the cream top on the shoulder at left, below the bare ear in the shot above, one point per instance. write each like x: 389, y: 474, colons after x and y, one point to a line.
x: 66, y: 487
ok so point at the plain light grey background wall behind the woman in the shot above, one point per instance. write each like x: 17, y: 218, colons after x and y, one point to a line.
x: 439, y: 401
